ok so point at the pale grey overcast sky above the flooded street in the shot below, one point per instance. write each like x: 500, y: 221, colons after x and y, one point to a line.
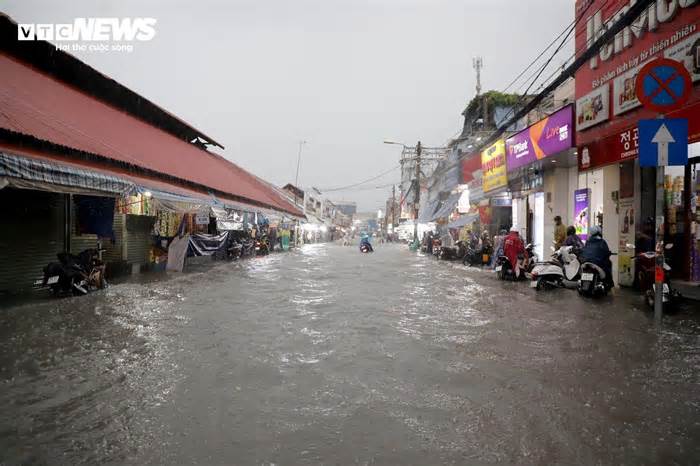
x: 344, y: 75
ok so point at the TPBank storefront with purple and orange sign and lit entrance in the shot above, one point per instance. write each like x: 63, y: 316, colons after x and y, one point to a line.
x: 541, y: 163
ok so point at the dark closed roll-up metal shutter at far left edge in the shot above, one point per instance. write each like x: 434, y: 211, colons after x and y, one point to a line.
x: 32, y: 232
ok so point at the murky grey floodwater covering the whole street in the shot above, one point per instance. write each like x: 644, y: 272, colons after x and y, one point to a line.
x: 329, y: 356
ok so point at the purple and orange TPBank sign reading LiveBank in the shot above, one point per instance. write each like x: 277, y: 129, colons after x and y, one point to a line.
x: 546, y: 137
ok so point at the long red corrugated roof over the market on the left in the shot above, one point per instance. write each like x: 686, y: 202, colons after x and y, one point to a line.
x: 37, y: 105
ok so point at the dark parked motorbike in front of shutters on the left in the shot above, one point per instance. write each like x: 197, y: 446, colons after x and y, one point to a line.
x: 75, y: 274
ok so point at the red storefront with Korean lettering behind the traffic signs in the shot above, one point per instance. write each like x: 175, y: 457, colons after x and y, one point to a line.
x: 622, y: 195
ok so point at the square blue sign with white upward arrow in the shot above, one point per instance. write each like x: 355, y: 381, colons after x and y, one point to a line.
x: 663, y: 142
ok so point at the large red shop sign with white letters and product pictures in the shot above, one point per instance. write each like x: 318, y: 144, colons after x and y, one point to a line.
x: 668, y: 29
